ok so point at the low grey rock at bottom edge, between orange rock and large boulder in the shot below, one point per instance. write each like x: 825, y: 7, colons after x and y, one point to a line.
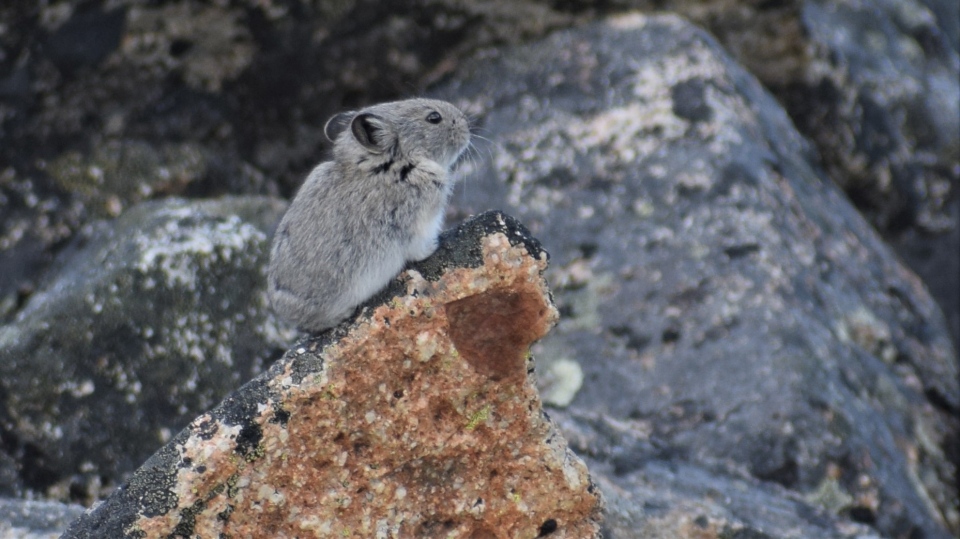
x: 649, y: 492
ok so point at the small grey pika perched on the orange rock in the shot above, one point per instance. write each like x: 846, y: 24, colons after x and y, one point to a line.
x: 358, y: 219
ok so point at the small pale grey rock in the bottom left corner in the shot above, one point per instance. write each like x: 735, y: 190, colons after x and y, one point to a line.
x: 21, y: 519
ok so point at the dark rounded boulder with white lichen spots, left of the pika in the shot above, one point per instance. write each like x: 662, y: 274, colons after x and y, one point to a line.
x: 150, y: 320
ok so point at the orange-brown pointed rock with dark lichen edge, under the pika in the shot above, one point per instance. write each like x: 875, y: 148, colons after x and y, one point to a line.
x: 418, y: 419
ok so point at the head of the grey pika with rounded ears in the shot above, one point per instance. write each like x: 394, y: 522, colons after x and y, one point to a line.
x: 413, y: 130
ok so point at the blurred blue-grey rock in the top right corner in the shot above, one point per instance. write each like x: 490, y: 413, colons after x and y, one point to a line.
x: 890, y: 133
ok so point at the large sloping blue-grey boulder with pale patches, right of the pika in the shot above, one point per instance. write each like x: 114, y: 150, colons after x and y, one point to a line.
x: 718, y: 291
